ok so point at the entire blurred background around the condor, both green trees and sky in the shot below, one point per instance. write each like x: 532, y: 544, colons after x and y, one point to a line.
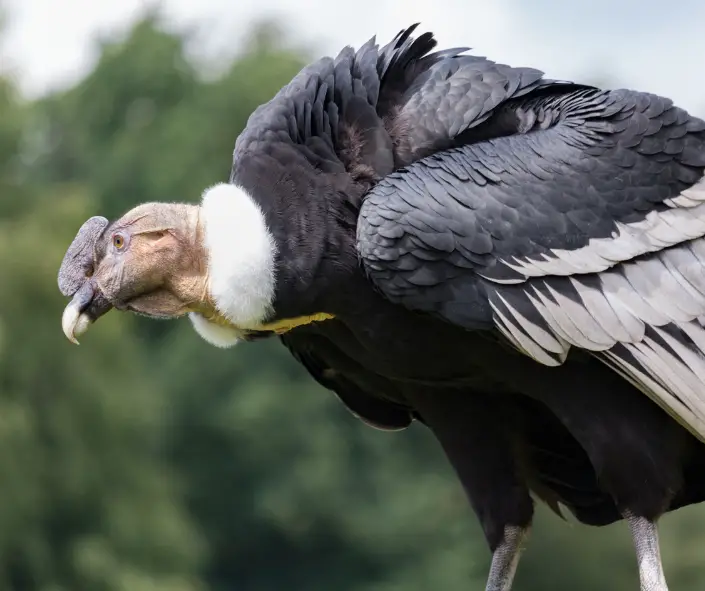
x: 147, y: 460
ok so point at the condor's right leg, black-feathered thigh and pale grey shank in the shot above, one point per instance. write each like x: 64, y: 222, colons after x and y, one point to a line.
x: 636, y: 449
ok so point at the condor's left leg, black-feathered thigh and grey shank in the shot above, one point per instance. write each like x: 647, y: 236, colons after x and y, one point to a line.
x: 472, y: 430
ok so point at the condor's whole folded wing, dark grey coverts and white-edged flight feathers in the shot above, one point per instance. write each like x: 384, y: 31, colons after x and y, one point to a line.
x: 586, y: 231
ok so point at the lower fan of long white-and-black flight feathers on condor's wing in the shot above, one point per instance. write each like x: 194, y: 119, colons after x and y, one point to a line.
x: 644, y: 318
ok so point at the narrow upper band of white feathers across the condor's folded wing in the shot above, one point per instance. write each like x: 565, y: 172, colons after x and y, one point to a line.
x: 684, y: 221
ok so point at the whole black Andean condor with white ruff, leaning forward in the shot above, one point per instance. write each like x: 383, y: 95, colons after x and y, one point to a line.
x: 517, y: 262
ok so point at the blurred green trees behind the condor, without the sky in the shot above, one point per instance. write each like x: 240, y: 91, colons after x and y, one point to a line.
x: 147, y: 460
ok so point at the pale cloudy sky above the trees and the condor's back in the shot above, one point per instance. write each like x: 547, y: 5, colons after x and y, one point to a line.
x: 645, y: 44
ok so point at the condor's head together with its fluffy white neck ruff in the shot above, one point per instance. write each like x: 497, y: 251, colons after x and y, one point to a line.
x: 213, y: 261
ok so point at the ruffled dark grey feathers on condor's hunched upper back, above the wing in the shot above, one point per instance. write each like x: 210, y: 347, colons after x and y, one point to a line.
x: 376, y: 110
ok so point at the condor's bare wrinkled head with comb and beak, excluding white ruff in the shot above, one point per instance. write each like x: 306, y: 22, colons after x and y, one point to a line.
x: 151, y: 261
